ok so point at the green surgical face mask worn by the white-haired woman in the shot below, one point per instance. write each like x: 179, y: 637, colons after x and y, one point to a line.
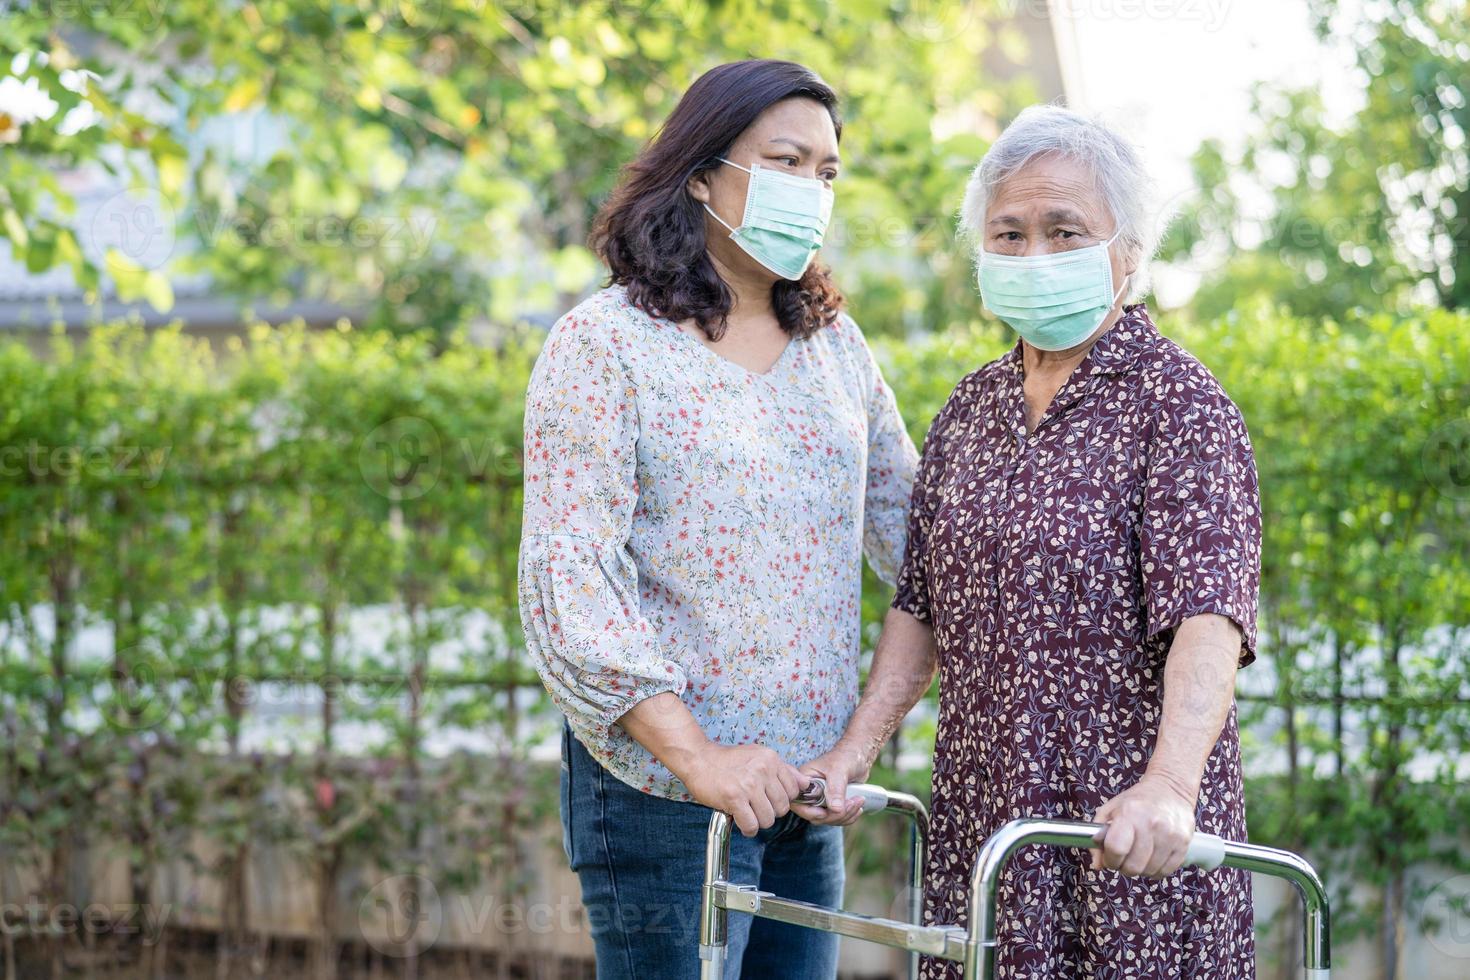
x: 1055, y: 302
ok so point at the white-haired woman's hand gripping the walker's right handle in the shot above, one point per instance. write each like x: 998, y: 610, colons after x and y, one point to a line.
x: 1149, y: 829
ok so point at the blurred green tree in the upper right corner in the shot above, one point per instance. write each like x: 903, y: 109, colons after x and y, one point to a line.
x: 1328, y: 217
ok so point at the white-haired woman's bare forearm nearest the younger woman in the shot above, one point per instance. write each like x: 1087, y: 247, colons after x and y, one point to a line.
x: 902, y: 674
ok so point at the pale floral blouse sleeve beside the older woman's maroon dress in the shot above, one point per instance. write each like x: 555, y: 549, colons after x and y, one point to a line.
x: 892, y: 462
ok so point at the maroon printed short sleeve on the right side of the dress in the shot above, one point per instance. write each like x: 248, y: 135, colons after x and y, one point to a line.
x: 1202, y: 530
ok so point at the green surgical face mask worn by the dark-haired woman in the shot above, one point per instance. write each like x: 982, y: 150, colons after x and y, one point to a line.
x: 786, y: 220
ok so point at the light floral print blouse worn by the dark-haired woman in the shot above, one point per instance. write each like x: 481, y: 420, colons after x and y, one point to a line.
x: 699, y: 528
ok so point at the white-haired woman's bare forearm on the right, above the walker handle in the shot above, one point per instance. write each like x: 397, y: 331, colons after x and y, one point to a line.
x: 1199, y: 691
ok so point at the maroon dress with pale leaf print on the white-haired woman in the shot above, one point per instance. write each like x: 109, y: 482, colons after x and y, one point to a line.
x: 1055, y: 568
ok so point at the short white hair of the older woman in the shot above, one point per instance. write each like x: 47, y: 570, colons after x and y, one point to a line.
x: 1122, y: 181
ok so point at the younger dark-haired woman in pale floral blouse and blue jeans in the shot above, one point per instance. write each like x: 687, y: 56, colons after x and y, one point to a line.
x: 711, y: 452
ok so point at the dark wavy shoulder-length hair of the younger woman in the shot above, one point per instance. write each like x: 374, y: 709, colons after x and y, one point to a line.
x: 650, y: 233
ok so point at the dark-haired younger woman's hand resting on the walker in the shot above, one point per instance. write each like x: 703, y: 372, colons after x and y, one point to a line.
x: 749, y: 782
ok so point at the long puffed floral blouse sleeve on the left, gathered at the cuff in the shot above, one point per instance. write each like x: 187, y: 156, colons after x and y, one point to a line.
x: 578, y: 584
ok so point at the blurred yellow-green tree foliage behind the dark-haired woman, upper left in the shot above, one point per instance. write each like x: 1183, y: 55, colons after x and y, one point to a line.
x: 436, y: 164
